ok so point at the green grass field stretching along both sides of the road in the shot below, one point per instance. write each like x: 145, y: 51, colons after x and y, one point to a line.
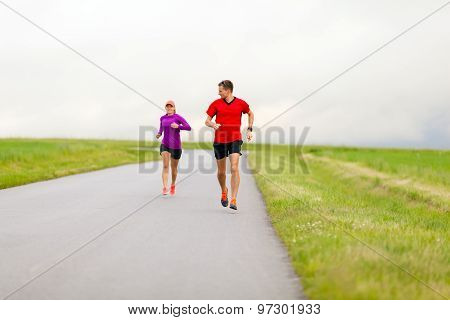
x: 360, y: 224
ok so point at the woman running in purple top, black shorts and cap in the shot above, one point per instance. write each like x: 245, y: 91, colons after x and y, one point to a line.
x: 170, y: 150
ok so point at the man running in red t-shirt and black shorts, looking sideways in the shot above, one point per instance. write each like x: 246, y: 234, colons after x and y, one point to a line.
x: 228, y: 111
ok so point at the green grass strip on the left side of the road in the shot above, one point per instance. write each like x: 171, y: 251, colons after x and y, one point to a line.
x: 24, y: 161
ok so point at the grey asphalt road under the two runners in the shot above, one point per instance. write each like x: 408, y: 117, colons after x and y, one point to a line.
x: 109, y: 234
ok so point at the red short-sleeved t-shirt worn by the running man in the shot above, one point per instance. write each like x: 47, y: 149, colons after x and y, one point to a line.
x: 228, y: 115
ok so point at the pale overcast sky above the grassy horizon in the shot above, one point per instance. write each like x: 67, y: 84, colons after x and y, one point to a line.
x: 275, y: 52
